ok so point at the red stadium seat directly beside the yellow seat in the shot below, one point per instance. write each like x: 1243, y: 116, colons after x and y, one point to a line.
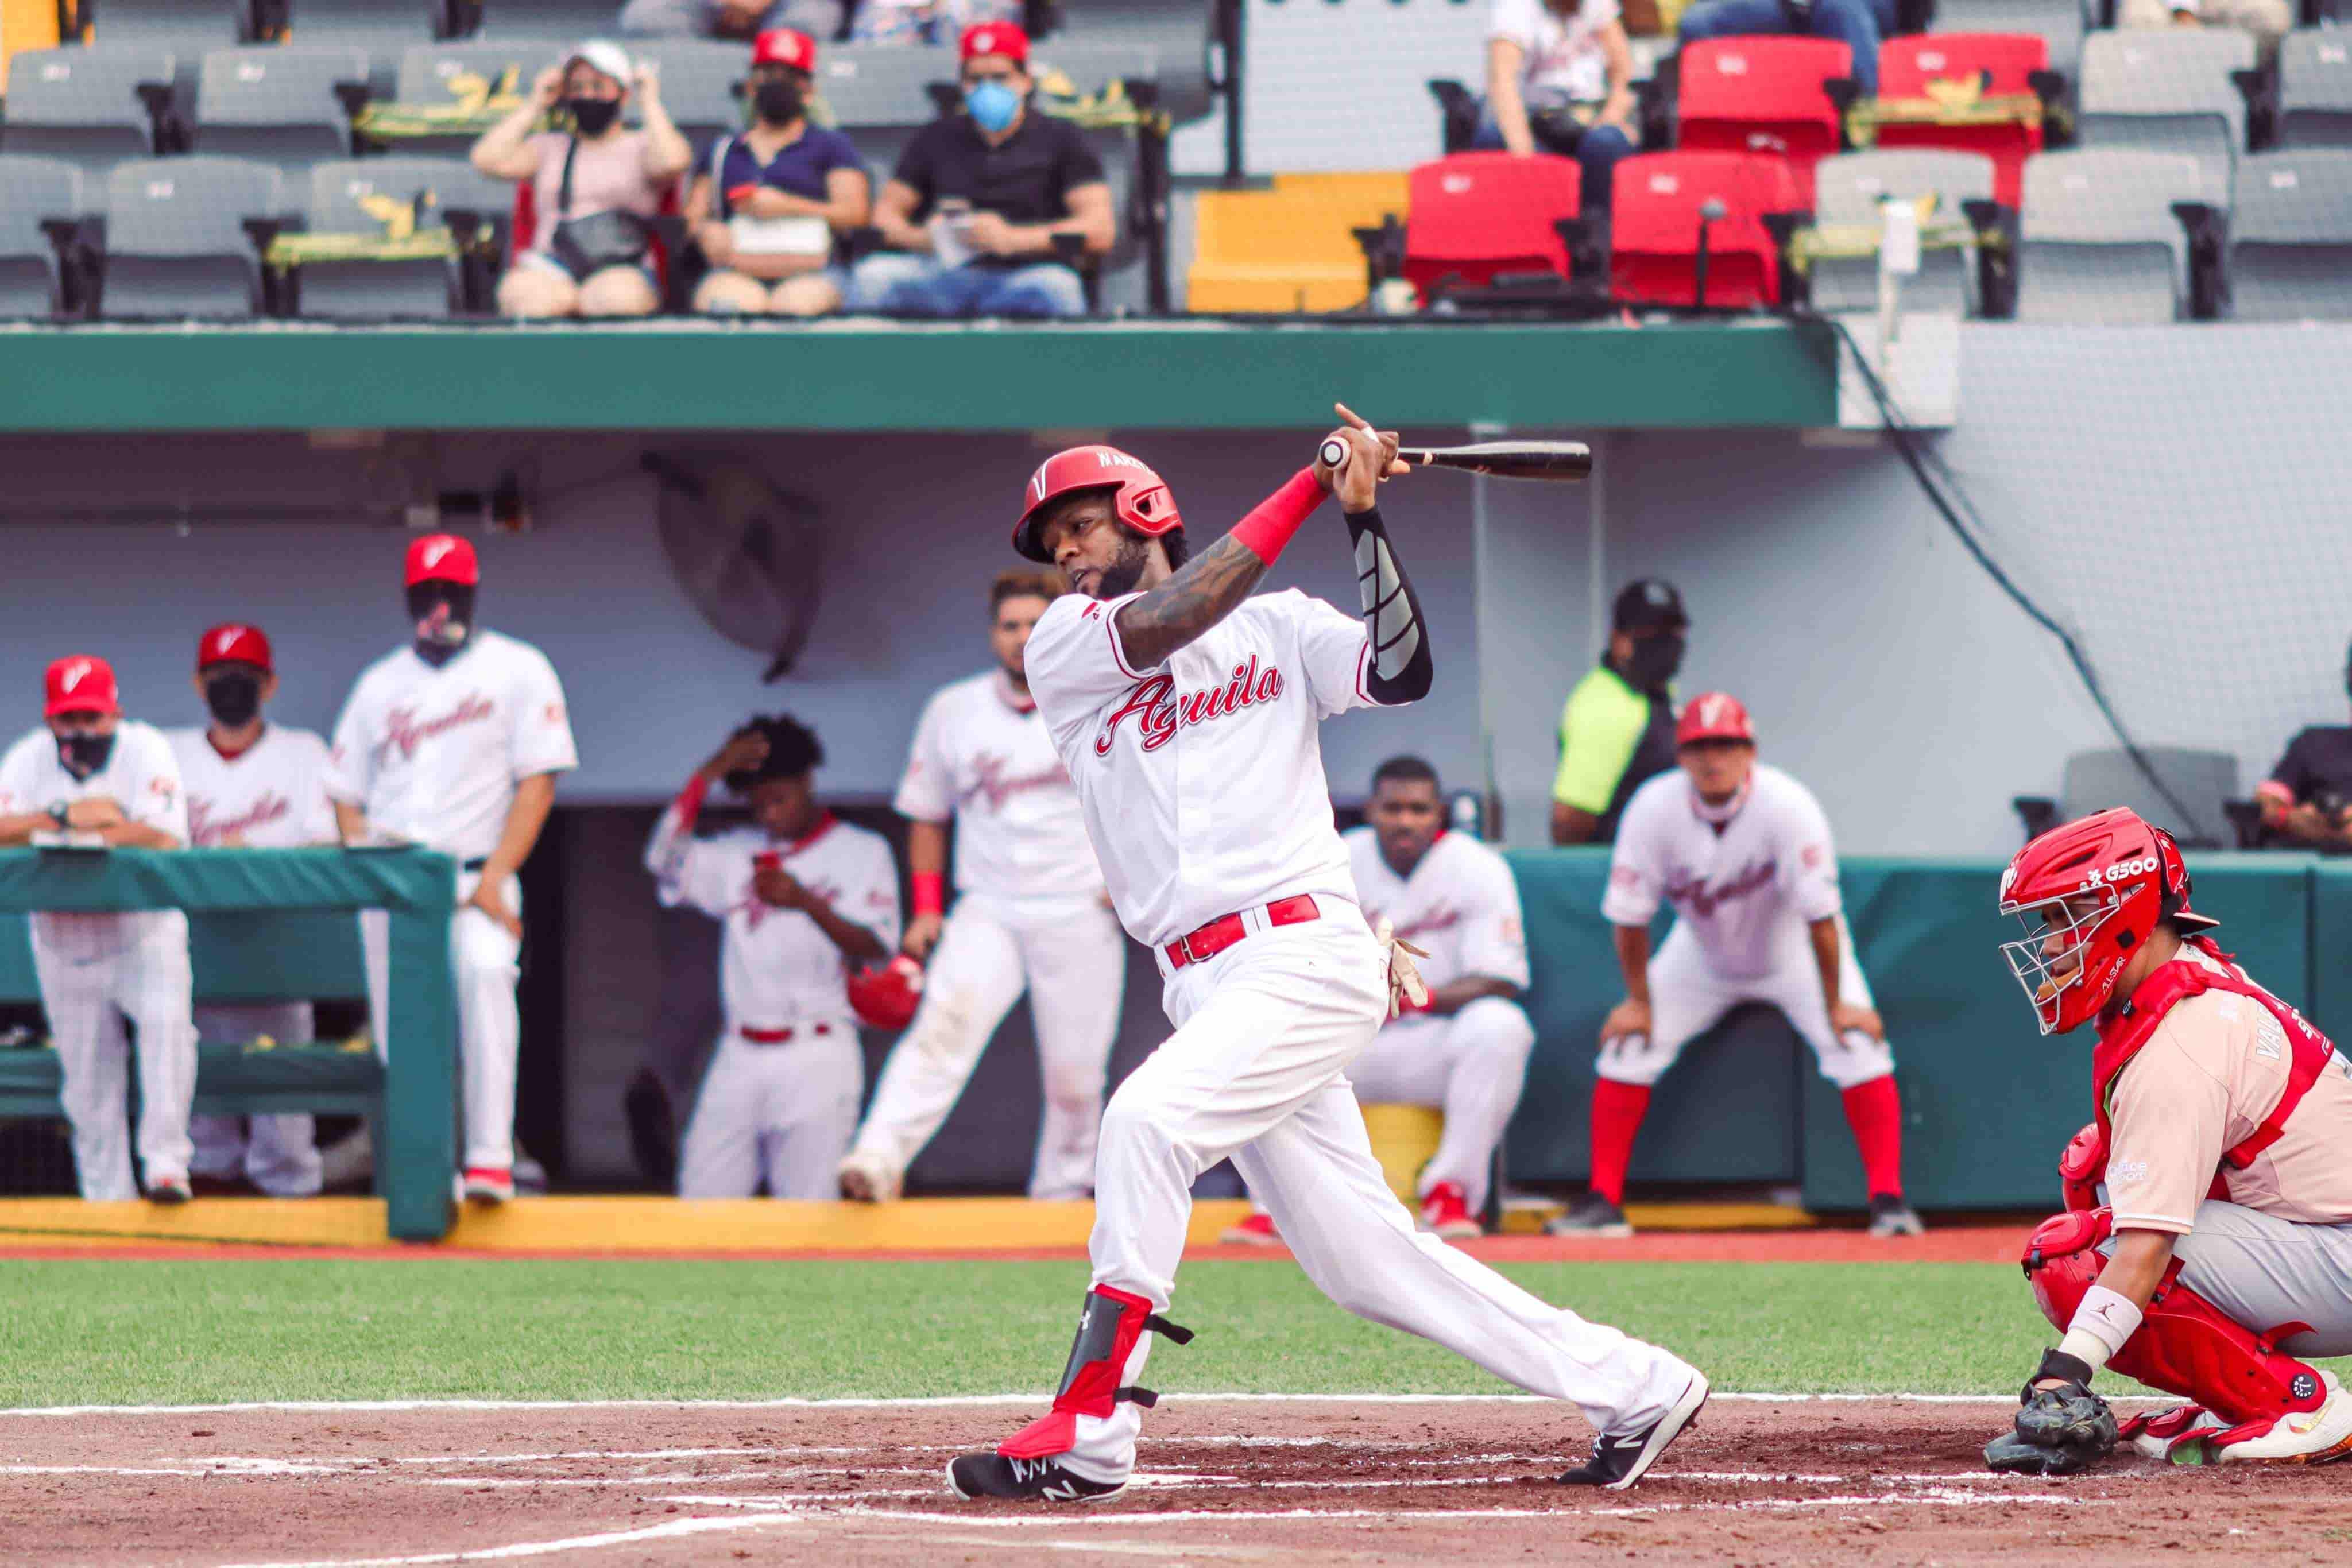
x: 1476, y: 215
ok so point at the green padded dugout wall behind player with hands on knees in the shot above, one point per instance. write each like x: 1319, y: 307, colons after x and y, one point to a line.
x: 1986, y: 1099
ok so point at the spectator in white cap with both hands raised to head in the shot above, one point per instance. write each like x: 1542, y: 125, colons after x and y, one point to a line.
x: 596, y: 187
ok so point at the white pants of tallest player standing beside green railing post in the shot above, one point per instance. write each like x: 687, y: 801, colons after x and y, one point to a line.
x: 488, y: 965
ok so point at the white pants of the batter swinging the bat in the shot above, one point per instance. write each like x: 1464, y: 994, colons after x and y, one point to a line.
x: 1257, y: 1073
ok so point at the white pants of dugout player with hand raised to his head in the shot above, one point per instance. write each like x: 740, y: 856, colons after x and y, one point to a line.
x: 780, y: 1111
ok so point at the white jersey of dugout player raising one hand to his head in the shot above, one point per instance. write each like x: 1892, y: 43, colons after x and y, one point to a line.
x: 777, y: 967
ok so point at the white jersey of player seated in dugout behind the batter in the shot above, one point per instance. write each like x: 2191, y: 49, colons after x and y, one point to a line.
x: 1462, y: 904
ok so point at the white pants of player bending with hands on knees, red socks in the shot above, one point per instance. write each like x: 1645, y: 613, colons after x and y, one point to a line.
x: 1688, y: 1000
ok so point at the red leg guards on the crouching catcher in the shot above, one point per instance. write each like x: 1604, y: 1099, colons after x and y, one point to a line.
x: 2184, y: 1346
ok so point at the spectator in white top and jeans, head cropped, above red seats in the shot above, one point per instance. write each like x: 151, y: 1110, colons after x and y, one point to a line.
x: 1561, y: 81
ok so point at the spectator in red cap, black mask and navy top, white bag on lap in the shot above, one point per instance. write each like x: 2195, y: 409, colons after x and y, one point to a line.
x: 770, y: 203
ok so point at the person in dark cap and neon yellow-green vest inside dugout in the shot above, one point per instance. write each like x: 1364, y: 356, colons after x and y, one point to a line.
x: 1619, y: 725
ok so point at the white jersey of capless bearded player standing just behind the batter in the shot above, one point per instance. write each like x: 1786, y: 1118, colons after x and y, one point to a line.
x: 984, y: 756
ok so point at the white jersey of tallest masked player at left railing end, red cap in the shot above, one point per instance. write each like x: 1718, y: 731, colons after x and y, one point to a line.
x: 434, y: 756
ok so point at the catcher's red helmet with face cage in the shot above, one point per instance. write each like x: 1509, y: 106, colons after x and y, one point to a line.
x: 2090, y: 894
